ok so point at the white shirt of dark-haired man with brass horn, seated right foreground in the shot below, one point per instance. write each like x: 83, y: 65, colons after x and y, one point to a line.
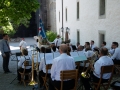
x: 103, y: 61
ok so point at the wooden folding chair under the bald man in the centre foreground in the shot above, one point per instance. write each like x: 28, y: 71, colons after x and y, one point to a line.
x: 68, y: 74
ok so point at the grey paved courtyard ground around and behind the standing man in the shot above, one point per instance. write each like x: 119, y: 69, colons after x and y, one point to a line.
x: 6, y: 79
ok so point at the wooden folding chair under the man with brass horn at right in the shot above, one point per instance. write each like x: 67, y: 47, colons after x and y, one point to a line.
x: 104, y: 69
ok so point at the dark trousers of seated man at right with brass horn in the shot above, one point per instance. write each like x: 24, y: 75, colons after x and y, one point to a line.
x: 93, y: 78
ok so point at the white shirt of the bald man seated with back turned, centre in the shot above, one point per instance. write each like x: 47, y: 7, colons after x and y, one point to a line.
x: 63, y: 62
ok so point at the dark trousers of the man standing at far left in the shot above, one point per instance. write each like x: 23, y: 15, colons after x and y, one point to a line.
x: 6, y: 61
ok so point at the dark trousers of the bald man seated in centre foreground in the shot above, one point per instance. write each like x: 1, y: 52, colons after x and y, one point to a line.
x: 67, y: 85
